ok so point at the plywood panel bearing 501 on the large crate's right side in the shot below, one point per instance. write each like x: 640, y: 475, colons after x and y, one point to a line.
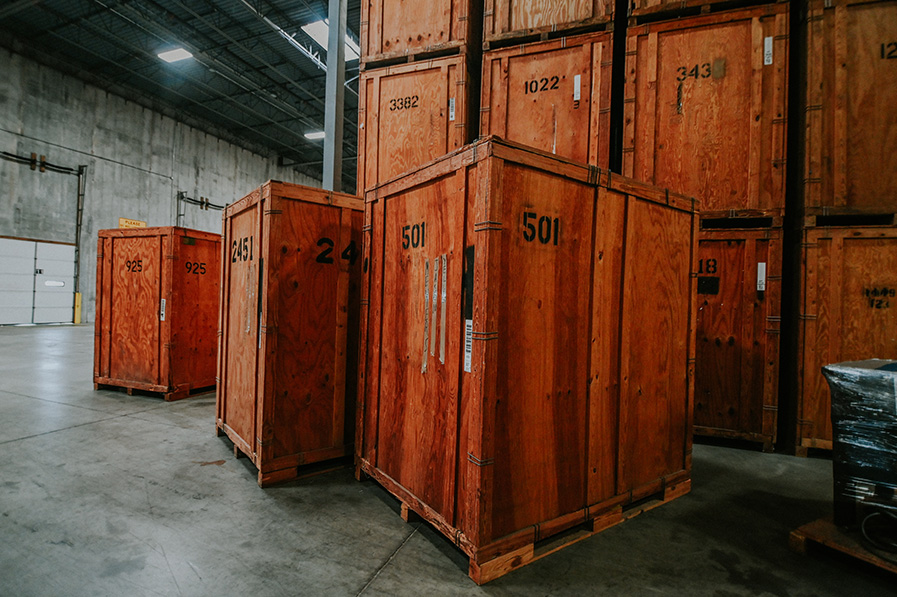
x: 540, y: 446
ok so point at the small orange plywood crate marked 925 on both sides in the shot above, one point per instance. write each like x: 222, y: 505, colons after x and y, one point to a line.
x: 157, y: 300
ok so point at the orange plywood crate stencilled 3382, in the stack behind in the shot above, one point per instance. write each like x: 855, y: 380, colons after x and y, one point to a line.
x: 411, y: 114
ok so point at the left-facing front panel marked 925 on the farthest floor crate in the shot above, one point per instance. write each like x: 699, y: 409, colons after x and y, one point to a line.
x: 135, y: 309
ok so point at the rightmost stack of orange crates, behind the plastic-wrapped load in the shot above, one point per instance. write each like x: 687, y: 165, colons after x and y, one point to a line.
x: 848, y: 253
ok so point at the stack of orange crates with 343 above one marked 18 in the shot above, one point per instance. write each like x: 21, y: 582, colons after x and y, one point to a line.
x: 705, y: 114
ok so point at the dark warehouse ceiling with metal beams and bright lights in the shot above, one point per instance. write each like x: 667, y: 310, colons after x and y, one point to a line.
x: 256, y: 78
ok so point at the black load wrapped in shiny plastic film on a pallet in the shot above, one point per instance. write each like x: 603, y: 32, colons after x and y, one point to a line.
x: 864, y: 423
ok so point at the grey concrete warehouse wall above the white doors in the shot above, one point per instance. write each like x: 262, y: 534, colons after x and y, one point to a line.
x: 137, y: 160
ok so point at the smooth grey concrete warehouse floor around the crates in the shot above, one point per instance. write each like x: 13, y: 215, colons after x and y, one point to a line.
x: 102, y: 493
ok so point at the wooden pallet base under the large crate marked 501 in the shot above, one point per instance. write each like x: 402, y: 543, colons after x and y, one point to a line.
x: 488, y: 570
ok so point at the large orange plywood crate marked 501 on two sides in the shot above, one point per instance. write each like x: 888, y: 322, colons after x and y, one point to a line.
x: 528, y: 357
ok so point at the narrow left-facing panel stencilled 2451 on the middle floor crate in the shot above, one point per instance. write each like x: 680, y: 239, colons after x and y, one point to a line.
x: 243, y: 254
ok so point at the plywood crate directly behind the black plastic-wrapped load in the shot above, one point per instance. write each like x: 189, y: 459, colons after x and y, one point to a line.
x: 848, y: 312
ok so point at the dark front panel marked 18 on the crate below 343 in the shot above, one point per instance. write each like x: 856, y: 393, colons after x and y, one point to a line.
x: 728, y: 383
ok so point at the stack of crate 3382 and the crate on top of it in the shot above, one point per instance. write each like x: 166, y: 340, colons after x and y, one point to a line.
x: 418, y: 86
